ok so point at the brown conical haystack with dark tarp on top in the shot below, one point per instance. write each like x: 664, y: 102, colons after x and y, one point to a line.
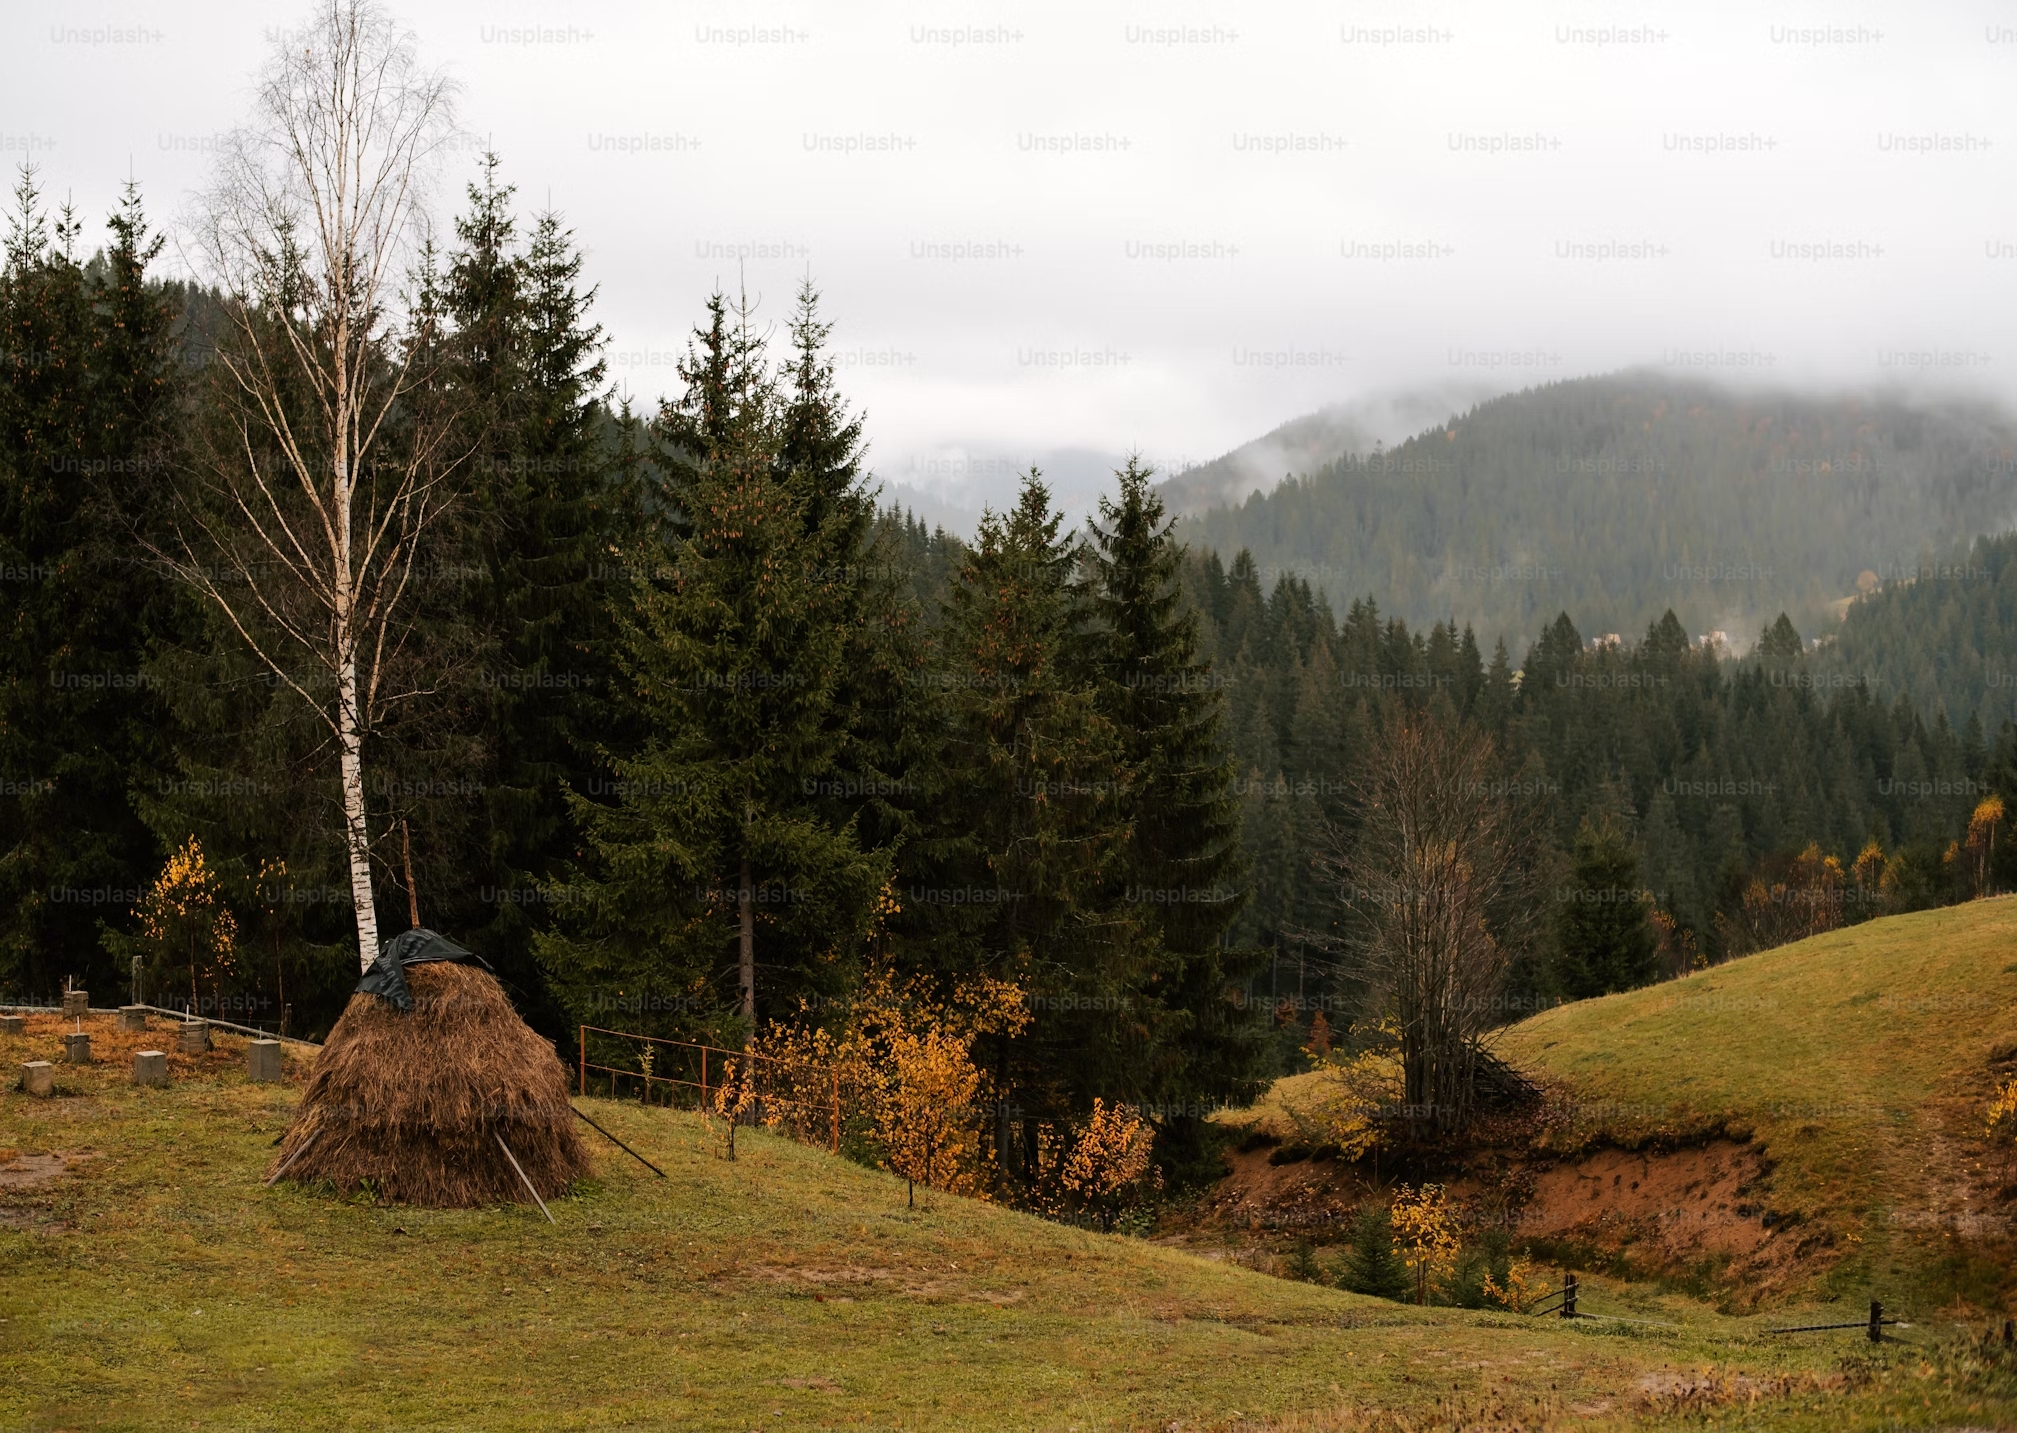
x: 414, y: 1101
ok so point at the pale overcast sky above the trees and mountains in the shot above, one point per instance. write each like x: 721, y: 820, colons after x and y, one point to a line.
x: 1106, y: 227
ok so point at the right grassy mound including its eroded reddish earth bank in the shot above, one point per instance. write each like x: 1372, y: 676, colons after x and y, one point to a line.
x: 1802, y: 1123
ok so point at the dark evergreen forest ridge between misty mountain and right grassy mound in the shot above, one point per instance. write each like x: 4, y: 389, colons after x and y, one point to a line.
x: 1719, y: 802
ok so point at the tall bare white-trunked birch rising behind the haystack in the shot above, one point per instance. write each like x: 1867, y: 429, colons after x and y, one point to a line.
x: 306, y: 526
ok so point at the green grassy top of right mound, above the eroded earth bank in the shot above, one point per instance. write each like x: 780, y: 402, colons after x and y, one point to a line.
x: 1859, y: 1061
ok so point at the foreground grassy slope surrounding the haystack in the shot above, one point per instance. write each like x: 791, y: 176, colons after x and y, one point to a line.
x: 148, y: 1277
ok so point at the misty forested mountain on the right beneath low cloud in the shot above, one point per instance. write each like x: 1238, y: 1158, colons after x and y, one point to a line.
x: 1621, y: 498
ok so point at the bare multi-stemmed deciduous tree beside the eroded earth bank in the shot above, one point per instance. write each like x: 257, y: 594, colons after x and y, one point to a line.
x: 1437, y: 887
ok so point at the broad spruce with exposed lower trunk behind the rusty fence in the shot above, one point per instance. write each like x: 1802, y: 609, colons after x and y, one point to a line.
x: 719, y: 885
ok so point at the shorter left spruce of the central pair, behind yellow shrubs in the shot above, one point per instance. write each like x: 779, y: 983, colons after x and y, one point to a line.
x: 1034, y: 826
